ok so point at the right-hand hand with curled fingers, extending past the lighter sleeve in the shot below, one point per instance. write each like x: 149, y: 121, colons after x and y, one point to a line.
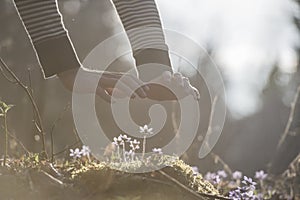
x: 176, y: 82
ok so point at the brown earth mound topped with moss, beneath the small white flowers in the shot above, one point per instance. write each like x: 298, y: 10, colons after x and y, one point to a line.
x: 83, y: 179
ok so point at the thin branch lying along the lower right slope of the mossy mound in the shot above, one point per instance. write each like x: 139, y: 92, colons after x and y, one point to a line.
x: 197, y: 194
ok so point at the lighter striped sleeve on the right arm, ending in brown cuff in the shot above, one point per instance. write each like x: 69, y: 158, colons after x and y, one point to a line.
x: 142, y: 24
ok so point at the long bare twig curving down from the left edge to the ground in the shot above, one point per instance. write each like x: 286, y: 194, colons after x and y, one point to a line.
x: 34, y: 105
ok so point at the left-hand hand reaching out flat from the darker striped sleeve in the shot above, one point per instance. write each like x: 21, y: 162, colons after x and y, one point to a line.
x: 106, y: 84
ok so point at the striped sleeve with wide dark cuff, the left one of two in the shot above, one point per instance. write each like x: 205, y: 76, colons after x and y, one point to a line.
x: 43, y: 23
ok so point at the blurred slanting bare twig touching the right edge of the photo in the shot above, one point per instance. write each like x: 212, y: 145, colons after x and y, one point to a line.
x: 290, y: 120
